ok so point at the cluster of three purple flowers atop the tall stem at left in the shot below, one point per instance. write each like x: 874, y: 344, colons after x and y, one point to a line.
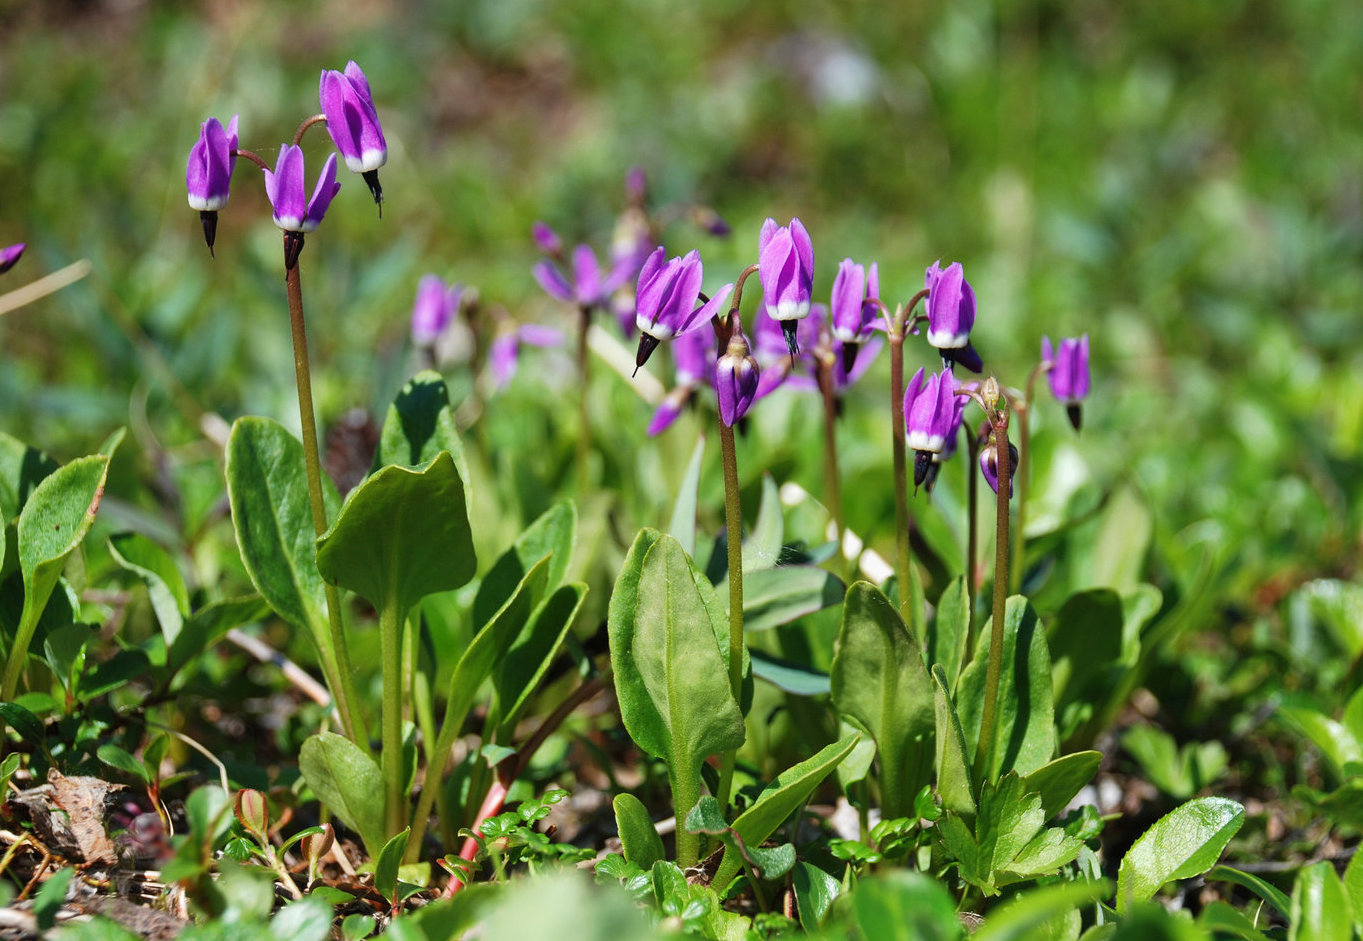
x: 354, y: 126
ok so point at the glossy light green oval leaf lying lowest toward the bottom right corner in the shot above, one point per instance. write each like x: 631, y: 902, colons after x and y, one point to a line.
x: 1184, y: 843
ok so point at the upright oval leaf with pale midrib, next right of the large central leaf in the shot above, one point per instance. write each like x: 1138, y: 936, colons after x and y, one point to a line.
x: 880, y: 681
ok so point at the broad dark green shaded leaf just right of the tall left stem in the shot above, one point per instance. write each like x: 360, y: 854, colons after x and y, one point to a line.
x: 401, y: 535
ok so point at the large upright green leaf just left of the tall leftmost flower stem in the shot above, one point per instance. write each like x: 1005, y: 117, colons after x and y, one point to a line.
x: 272, y: 516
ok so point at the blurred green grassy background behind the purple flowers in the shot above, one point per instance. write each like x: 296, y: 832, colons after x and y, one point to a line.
x: 1181, y: 179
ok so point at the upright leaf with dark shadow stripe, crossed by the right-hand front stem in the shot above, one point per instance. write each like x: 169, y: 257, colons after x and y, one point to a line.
x: 1026, y: 721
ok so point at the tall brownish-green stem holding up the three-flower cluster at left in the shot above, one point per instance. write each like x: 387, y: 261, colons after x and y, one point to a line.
x: 336, y: 659
